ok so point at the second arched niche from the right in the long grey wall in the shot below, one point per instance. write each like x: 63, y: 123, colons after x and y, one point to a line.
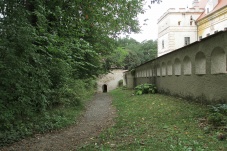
x: 200, y: 63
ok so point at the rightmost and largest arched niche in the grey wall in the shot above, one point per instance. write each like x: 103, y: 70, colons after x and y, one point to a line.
x: 218, y: 61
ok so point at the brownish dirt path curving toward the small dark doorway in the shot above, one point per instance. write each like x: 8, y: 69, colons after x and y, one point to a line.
x: 98, y: 116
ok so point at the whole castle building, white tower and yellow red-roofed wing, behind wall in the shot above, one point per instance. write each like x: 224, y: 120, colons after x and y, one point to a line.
x: 183, y: 26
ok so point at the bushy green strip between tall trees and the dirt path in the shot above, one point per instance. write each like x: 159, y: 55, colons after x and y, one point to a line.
x: 64, y: 104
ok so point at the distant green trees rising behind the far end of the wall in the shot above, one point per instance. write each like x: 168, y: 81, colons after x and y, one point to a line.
x: 130, y: 53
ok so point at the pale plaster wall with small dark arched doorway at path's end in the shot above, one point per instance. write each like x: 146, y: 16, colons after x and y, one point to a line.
x: 111, y: 80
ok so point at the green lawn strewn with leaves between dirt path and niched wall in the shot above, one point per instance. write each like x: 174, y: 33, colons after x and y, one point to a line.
x: 157, y: 122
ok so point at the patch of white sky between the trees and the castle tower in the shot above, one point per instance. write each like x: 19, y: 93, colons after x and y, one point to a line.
x: 150, y: 31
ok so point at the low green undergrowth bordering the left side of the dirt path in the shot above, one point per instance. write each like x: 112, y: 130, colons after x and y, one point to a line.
x: 62, y: 114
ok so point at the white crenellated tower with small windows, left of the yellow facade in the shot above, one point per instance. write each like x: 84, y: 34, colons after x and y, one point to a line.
x: 177, y: 28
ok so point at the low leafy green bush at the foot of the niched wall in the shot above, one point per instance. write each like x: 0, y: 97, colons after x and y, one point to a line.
x: 145, y: 89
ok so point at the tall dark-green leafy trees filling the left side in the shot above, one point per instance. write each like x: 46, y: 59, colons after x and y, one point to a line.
x: 50, y: 53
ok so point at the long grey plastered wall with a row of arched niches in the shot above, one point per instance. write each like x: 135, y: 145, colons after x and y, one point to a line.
x: 197, y: 71
